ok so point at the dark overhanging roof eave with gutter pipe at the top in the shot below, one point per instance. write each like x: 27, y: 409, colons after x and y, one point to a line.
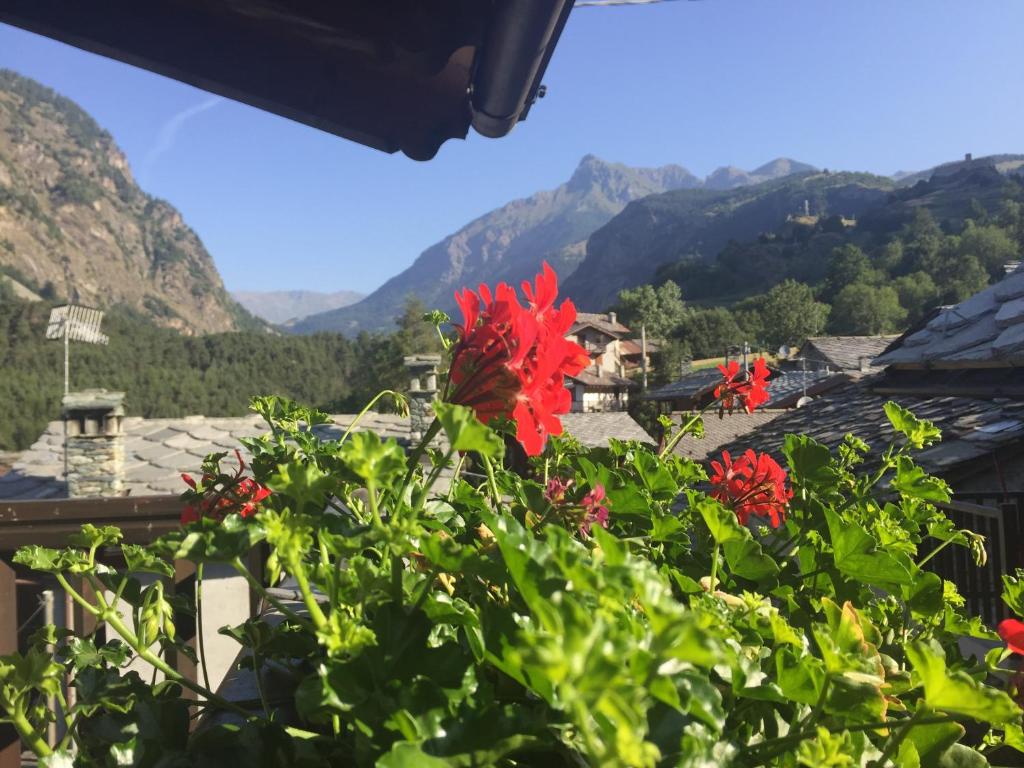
x: 394, y: 75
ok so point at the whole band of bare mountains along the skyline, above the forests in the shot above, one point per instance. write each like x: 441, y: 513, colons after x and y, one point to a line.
x: 75, y: 226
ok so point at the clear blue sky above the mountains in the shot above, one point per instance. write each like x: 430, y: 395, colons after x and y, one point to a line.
x: 872, y: 86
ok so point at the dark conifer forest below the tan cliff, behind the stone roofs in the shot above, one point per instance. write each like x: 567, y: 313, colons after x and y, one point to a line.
x: 165, y: 374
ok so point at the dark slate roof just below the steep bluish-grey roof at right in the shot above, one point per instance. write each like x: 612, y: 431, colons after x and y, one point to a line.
x: 971, y: 428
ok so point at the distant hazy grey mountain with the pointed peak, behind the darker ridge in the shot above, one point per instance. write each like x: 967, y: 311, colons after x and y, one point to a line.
x: 510, y: 243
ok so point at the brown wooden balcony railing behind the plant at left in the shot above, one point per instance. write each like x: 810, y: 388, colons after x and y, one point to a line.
x: 49, y: 524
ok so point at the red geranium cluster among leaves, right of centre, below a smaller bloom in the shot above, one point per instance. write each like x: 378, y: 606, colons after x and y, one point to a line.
x: 754, y: 485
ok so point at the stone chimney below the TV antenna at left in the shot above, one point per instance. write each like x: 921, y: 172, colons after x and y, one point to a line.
x: 96, y: 460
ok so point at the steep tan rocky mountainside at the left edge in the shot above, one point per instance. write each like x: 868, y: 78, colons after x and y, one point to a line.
x: 74, y: 224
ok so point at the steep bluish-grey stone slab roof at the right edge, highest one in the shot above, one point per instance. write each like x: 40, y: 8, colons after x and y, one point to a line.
x: 987, y: 329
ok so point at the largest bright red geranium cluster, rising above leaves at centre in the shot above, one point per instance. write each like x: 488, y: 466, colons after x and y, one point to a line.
x: 511, y: 361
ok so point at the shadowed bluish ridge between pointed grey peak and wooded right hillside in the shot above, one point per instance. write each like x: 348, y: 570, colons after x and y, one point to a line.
x: 698, y: 224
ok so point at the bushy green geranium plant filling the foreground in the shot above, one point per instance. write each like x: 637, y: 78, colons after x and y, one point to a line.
x: 480, y: 622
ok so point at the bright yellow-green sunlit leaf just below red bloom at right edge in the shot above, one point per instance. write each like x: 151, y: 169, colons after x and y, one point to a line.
x: 958, y: 693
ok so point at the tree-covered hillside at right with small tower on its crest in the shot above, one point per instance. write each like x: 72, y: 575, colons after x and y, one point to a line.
x: 935, y: 243
